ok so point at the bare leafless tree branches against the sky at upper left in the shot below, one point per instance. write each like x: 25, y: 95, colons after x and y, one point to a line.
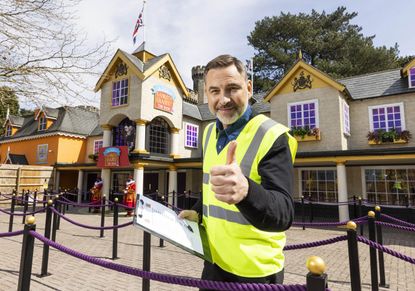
x: 43, y: 56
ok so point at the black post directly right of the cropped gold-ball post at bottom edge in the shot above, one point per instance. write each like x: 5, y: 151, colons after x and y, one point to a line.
x: 354, y: 267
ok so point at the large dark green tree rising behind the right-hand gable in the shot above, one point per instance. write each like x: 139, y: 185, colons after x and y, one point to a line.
x: 328, y: 41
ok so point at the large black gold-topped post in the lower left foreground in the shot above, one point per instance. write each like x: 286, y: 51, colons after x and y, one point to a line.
x: 26, y: 258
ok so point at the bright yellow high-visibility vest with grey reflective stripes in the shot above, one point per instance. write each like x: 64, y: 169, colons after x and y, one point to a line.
x: 237, y: 246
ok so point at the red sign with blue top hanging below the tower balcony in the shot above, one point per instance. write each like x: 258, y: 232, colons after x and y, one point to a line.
x: 113, y: 157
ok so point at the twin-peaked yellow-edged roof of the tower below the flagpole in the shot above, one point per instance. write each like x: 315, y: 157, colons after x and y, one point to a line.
x: 142, y: 69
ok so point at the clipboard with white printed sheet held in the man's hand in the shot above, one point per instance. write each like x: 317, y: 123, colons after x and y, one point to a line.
x: 163, y: 222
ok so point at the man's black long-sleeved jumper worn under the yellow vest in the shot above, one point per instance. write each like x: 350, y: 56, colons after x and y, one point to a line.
x: 269, y: 206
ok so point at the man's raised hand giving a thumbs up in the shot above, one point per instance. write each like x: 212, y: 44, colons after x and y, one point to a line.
x: 228, y: 182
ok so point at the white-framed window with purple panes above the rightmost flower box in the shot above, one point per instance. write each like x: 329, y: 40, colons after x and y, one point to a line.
x: 387, y: 117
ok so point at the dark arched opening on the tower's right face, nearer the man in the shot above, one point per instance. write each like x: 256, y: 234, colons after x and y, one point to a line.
x: 158, y: 136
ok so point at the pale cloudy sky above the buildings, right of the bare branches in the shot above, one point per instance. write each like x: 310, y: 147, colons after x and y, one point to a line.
x: 195, y: 31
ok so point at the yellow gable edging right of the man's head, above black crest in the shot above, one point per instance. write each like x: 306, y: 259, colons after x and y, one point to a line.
x: 300, y: 64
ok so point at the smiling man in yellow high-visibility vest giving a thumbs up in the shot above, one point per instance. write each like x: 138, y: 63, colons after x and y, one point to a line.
x: 247, y: 181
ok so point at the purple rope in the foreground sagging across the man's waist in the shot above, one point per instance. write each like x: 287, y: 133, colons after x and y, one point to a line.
x: 166, y: 278
